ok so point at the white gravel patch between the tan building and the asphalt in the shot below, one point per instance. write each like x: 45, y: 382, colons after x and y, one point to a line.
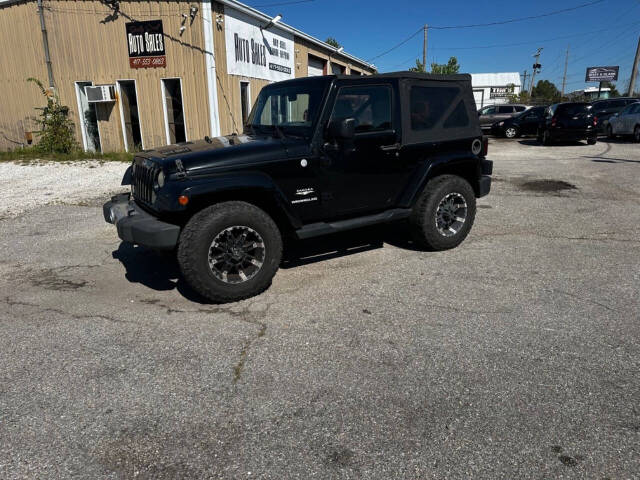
x: 25, y: 187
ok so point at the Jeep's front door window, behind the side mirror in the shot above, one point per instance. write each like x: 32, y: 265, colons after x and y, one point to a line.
x: 370, y: 106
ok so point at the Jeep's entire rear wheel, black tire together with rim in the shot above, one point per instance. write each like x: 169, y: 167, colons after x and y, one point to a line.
x: 444, y: 213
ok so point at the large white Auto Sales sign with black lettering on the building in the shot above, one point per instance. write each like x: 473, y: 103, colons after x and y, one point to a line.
x: 255, y: 52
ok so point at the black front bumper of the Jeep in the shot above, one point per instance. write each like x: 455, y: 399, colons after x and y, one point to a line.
x: 137, y: 226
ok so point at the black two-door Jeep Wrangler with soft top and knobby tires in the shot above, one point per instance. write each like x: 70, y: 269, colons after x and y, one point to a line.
x: 318, y: 155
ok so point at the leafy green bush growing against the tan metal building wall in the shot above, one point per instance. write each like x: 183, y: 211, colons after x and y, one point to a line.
x: 57, y: 132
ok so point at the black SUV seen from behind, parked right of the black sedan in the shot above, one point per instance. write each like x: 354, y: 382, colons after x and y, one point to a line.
x: 567, y: 121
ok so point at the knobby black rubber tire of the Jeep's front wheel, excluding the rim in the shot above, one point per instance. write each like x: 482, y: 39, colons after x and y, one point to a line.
x: 196, y: 240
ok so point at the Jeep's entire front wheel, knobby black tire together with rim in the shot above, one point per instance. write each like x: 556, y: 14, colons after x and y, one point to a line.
x: 230, y: 251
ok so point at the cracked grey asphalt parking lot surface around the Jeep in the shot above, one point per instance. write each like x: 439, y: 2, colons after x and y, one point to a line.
x: 516, y: 355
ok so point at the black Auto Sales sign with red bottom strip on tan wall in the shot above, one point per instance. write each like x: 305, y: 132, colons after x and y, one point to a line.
x: 145, y: 41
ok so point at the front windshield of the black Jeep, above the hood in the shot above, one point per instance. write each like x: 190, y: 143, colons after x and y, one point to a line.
x: 291, y: 109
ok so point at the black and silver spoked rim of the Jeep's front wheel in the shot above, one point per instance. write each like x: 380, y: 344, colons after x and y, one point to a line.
x: 236, y: 254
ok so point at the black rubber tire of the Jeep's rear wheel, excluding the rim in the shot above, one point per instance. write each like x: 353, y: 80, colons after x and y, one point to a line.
x: 423, y: 220
